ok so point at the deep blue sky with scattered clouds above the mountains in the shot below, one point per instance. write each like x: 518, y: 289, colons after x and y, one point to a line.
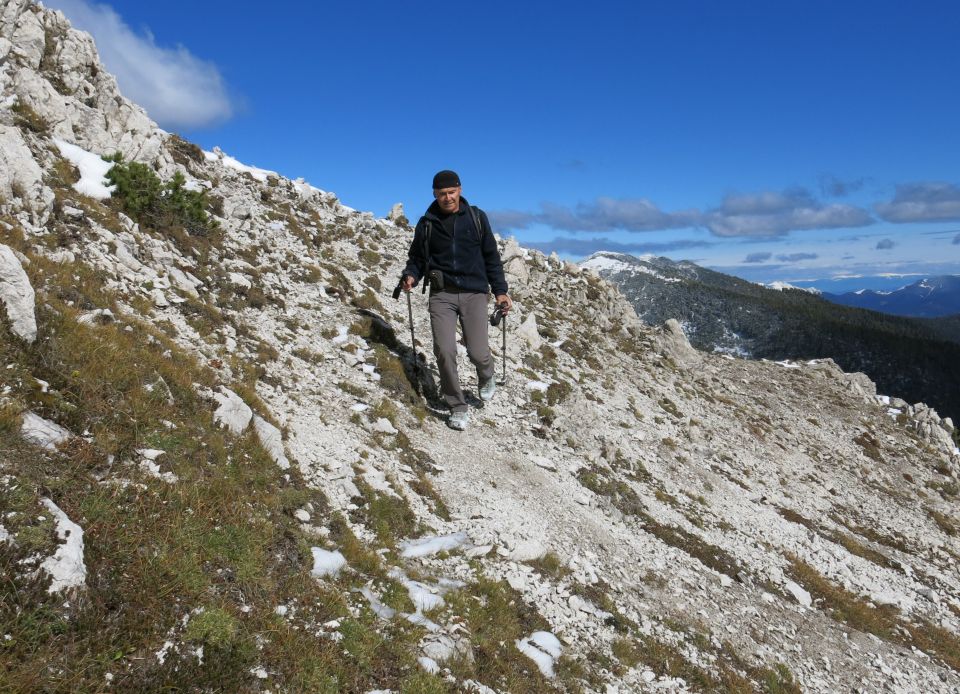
x: 793, y: 141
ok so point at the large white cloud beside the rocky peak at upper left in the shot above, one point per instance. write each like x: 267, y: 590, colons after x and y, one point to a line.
x: 175, y: 87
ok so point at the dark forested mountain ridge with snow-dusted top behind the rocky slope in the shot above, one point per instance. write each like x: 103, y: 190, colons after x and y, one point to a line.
x: 912, y: 358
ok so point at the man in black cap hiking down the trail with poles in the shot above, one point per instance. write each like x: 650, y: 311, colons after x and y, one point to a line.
x: 453, y: 250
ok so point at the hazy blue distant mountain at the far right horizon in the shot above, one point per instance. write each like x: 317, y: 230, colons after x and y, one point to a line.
x: 932, y: 297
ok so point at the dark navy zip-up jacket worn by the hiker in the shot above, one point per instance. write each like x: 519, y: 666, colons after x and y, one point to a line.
x: 468, y: 257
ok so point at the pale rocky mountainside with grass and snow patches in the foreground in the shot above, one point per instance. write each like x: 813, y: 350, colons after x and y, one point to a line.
x: 223, y: 466
